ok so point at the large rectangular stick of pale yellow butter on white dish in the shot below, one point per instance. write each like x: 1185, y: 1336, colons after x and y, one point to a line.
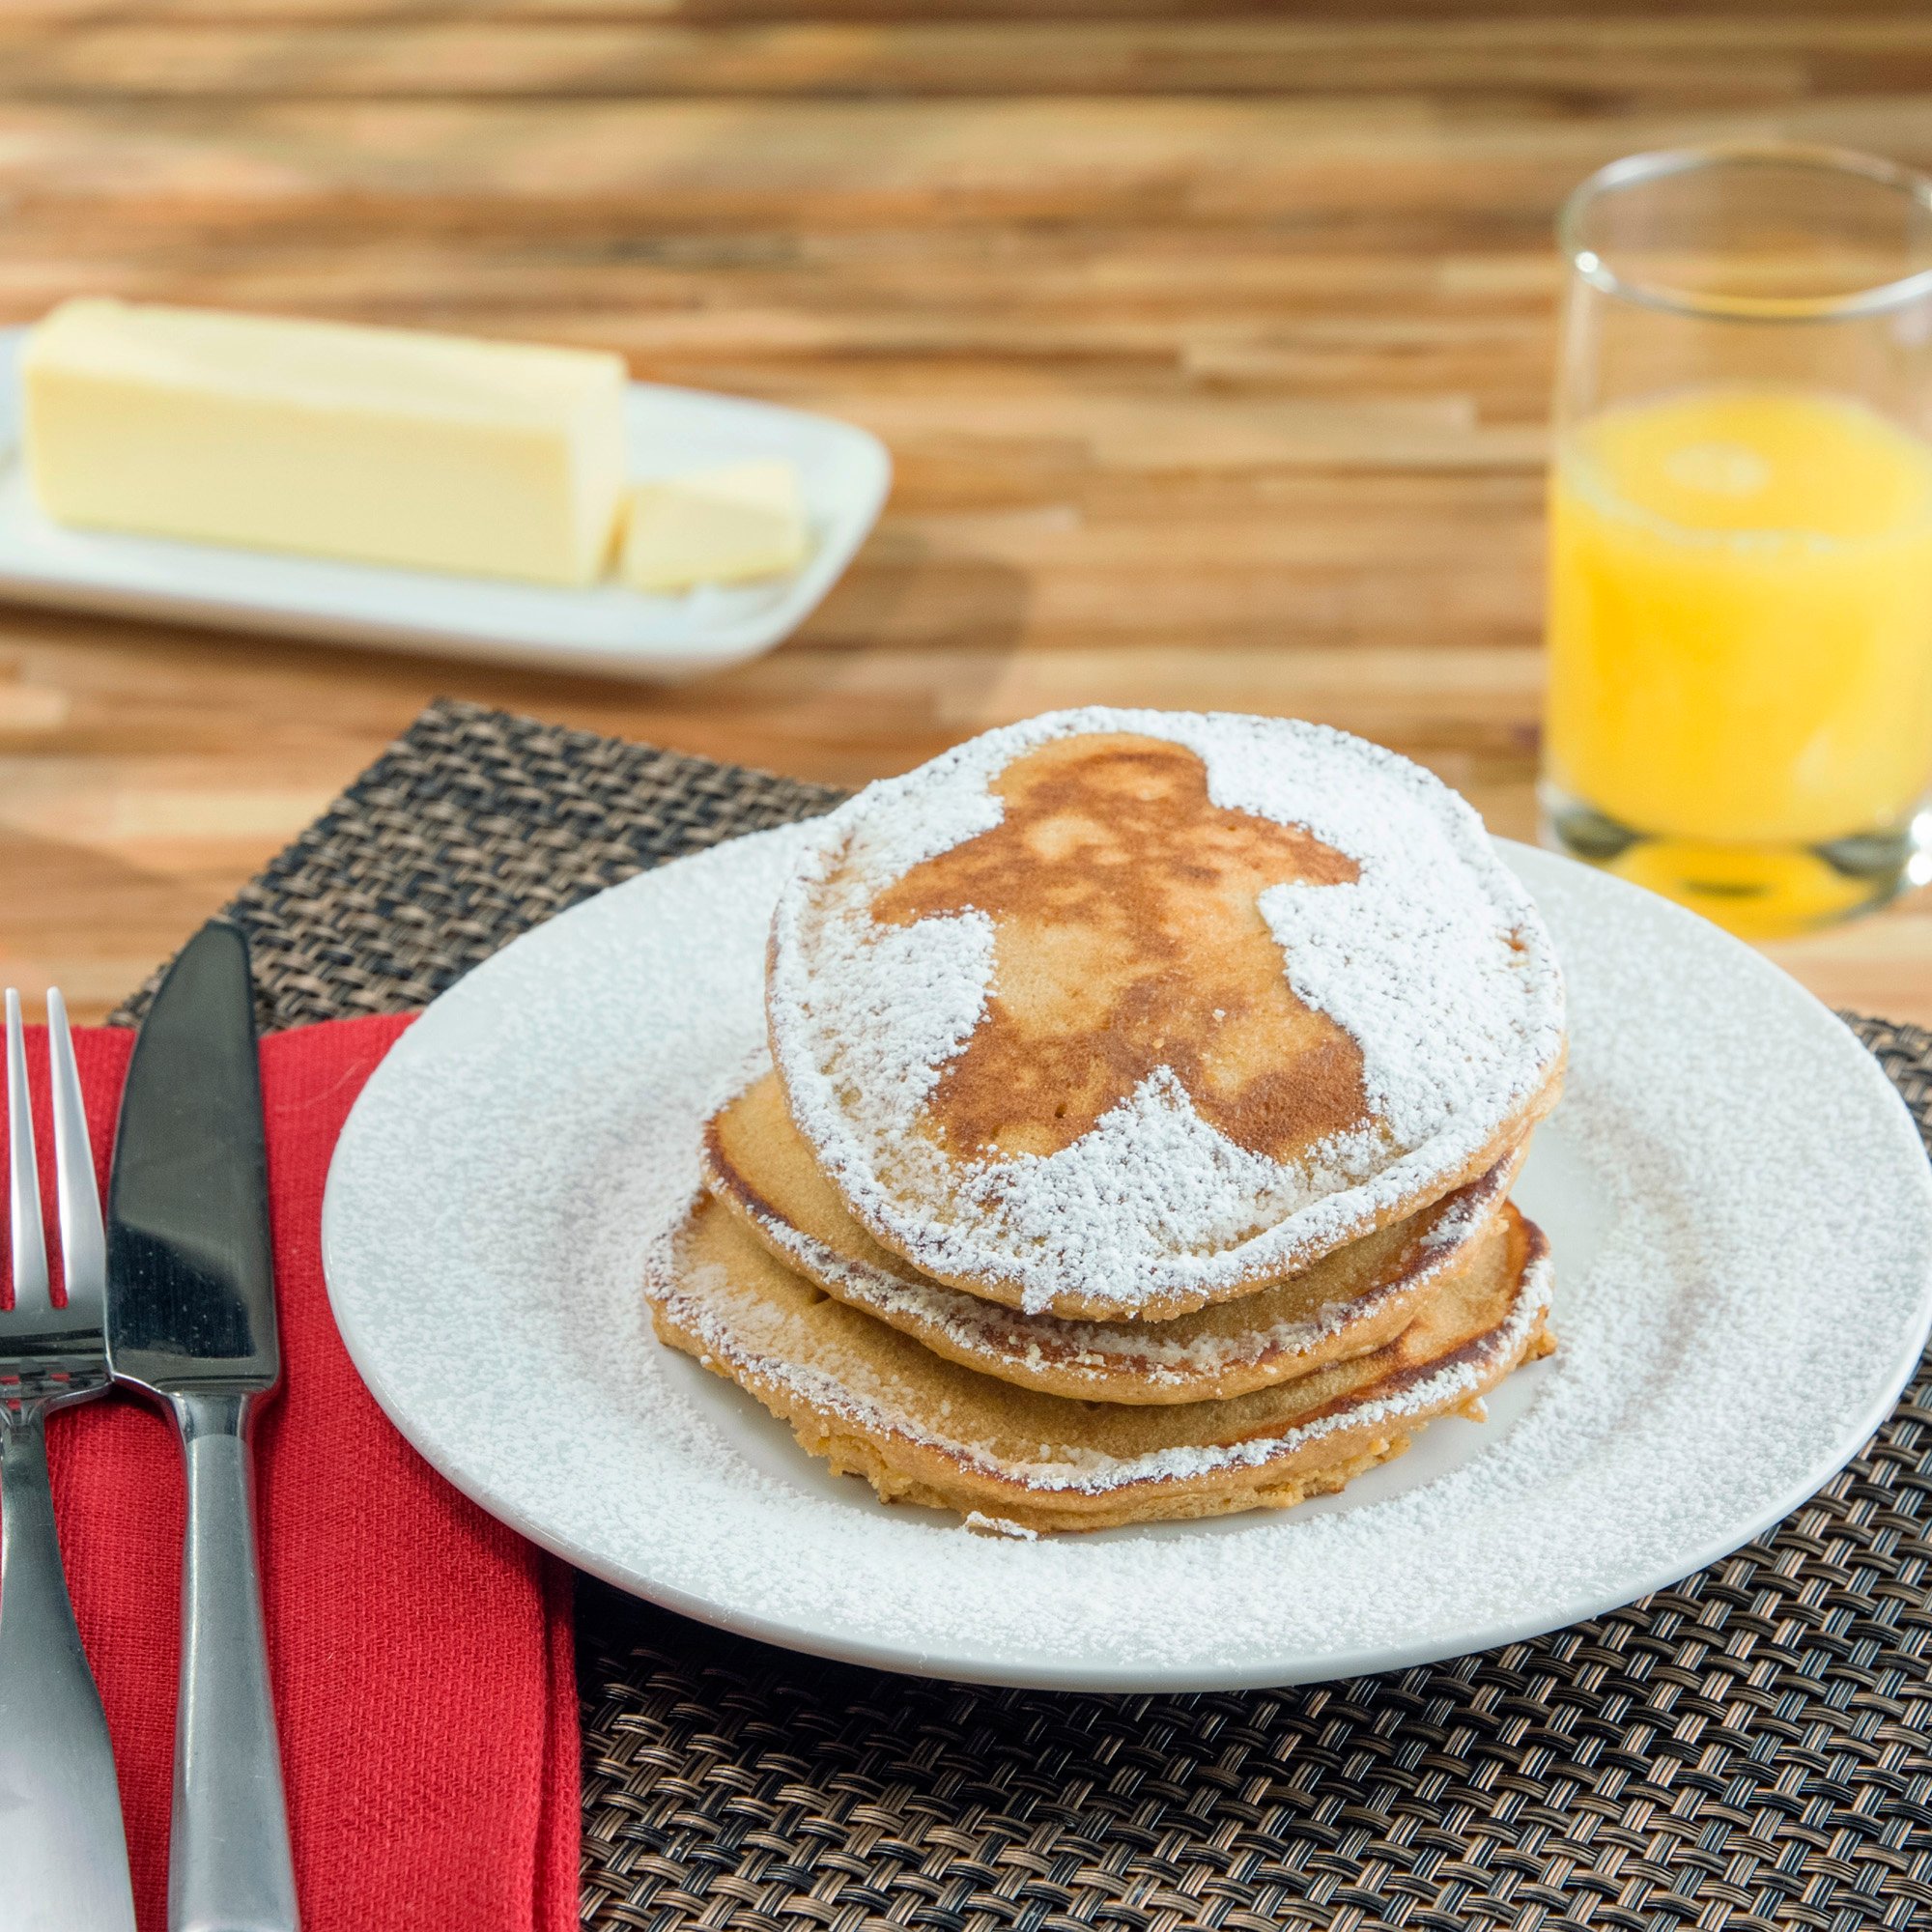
x: 382, y: 445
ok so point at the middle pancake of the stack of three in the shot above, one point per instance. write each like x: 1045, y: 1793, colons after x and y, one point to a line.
x: 1346, y: 1305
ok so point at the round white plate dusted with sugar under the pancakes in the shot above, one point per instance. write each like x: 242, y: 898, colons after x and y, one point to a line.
x: 1744, y: 1243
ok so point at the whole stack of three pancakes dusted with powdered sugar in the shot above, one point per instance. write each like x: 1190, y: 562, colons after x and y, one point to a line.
x: 1137, y: 1141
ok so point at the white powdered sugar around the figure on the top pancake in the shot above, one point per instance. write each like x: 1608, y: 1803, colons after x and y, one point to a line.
x: 1435, y: 961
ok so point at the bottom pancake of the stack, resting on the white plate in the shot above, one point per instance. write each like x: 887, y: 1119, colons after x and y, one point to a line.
x: 924, y: 1431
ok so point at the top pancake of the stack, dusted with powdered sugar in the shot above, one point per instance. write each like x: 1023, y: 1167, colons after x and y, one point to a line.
x: 1125, y: 1013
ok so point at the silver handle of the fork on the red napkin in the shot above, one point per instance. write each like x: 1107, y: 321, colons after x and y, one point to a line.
x: 63, y: 1852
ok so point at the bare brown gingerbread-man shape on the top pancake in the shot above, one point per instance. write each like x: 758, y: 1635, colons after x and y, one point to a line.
x: 1129, y: 940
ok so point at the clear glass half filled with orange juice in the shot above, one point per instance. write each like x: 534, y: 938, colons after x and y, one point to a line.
x: 1740, y: 698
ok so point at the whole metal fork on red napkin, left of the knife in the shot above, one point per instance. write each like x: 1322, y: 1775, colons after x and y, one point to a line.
x: 63, y: 1852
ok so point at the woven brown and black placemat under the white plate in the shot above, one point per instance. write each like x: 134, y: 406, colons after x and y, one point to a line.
x: 1746, y: 1751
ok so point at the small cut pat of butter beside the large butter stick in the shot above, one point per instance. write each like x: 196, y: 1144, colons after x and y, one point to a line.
x: 716, y: 526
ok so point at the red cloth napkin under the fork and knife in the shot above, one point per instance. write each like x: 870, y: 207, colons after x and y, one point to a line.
x: 420, y: 1649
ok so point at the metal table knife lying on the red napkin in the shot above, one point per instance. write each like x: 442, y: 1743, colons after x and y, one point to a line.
x: 192, y: 1322
